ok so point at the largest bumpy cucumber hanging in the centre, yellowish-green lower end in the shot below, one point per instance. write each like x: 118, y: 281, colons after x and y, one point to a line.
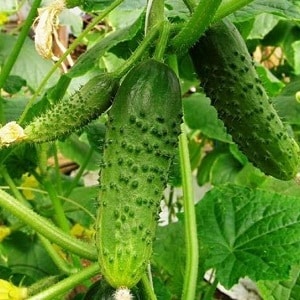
x: 141, y: 141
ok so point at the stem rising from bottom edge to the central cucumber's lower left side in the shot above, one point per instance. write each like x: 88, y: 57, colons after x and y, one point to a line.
x: 67, y: 284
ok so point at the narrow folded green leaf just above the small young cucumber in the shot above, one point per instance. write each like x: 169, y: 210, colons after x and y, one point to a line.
x: 90, y: 59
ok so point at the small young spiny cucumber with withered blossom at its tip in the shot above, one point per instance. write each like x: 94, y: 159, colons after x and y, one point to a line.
x: 72, y: 113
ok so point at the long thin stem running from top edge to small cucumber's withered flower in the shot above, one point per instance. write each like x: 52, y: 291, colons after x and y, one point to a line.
x: 72, y: 47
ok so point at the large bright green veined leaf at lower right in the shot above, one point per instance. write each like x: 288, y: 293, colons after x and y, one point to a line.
x: 249, y: 232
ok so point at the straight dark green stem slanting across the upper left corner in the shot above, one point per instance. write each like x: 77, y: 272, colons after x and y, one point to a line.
x: 17, y: 48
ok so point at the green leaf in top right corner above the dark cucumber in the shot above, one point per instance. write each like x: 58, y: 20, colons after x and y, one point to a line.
x: 283, y: 8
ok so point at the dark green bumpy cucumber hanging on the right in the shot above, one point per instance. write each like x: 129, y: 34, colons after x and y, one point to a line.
x: 229, y: 78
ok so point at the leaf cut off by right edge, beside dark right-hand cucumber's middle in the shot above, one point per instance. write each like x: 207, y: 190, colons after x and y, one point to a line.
x: 286, y: 104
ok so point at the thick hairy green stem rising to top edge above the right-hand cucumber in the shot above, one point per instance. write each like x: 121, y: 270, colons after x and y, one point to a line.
x: 195, y: 27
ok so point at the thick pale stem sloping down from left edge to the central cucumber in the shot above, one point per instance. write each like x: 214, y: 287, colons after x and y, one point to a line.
x: 45, y: 228
